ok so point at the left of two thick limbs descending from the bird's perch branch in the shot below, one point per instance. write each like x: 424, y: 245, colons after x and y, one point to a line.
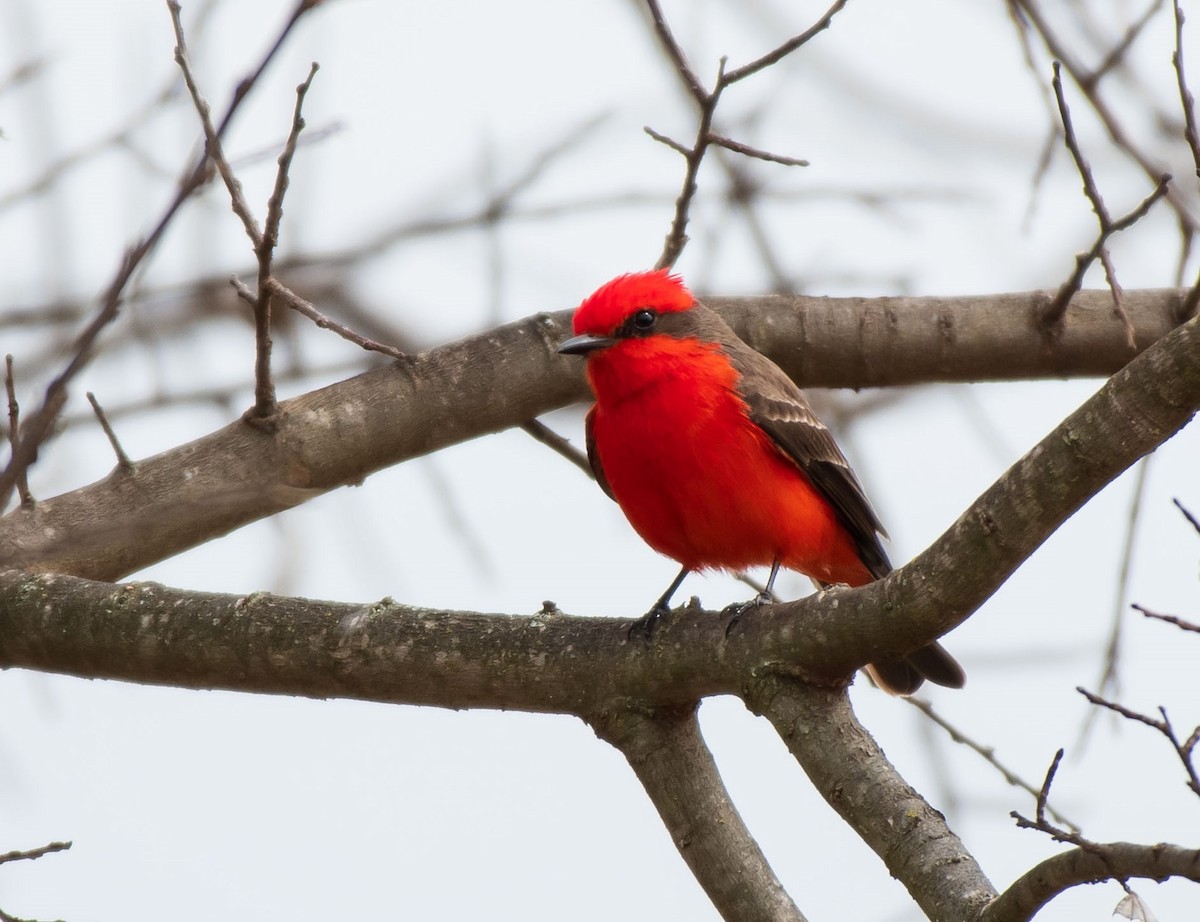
x: 671, y: 761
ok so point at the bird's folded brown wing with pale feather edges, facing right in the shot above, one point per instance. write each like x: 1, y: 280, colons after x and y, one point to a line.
x: 778, y: 406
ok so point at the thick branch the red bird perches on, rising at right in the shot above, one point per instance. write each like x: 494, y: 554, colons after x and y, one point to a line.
x: 387, y: 652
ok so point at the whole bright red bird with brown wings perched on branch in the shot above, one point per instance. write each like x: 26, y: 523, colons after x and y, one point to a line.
x: 718, y: 460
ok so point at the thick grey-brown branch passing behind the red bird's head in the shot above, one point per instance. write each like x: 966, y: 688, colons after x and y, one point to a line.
x: 485, y: 384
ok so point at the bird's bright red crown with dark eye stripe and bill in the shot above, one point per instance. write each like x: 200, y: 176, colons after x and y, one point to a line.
x: 629, y: 307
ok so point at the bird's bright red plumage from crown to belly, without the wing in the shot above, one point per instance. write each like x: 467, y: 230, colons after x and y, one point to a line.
x: 673, y: 432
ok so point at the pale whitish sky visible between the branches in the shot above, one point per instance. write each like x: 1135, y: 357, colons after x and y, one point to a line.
x: 200, y: 806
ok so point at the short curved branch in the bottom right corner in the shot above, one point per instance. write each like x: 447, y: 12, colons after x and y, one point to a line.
x: 1107, y: 861
